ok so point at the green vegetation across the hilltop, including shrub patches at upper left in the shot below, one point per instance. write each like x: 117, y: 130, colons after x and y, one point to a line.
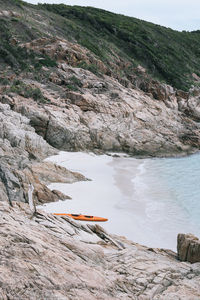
x: 168, y: 55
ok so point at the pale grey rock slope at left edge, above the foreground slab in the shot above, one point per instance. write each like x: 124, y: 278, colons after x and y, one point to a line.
x: 18, y: 143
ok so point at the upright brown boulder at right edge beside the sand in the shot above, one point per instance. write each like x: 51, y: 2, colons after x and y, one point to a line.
x: 188, y: 248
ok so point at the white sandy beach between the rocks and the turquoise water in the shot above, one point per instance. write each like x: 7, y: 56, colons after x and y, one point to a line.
x: 122, y: 190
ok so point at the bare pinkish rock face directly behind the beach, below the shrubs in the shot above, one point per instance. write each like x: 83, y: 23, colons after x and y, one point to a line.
x: 105, y: 115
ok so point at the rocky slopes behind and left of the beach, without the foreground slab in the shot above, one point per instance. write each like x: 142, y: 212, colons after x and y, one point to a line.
x: 86, y: 112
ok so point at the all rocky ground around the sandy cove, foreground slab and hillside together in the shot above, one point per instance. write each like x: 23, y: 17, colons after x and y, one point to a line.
x: 57, y: 93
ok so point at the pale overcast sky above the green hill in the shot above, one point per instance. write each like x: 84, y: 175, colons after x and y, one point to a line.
x: 176, y: 14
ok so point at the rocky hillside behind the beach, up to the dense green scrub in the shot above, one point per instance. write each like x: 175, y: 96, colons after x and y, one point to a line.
x: 112, y: 110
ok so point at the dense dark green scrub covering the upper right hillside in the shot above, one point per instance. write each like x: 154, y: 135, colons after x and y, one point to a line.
x: 168, y: 55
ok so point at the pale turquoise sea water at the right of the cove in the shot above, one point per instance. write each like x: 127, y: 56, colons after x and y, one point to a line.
x: 177, y: 182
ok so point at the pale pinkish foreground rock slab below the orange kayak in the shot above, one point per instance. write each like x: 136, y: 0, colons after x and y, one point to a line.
x: 47, y: 257
